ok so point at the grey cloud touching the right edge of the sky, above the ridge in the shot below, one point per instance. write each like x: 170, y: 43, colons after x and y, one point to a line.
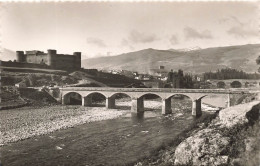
x: 242, y: 31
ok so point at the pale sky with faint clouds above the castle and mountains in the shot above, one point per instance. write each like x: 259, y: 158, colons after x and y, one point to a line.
x: 111, y: 28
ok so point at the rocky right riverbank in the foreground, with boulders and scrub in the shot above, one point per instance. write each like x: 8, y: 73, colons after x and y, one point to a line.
x: 230, y: 139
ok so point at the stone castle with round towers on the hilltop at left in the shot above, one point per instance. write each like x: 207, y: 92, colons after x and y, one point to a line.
x: 50, y: 59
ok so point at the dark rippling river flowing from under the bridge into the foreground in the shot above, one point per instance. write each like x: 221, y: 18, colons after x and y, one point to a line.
x: 119, y: 141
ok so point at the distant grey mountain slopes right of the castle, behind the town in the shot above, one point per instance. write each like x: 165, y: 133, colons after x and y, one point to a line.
x: 194, y: 60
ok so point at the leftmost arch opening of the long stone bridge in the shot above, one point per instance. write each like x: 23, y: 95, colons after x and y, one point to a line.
x: 72, y: 98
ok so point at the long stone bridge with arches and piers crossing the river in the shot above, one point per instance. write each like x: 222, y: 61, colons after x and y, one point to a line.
x: 137, y: 96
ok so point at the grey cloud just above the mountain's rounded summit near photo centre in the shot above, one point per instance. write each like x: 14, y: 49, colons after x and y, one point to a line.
x: 138, y: 37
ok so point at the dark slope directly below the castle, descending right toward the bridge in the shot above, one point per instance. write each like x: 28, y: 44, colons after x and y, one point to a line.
x: 77, y: 78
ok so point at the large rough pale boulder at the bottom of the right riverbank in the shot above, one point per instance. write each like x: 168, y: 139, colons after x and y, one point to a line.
x: 203, y: 148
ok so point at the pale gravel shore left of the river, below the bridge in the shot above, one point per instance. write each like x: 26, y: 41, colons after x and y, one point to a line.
x: 23, y: 123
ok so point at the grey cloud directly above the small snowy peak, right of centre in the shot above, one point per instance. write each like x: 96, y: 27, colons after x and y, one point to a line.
x: 191, y: 33
